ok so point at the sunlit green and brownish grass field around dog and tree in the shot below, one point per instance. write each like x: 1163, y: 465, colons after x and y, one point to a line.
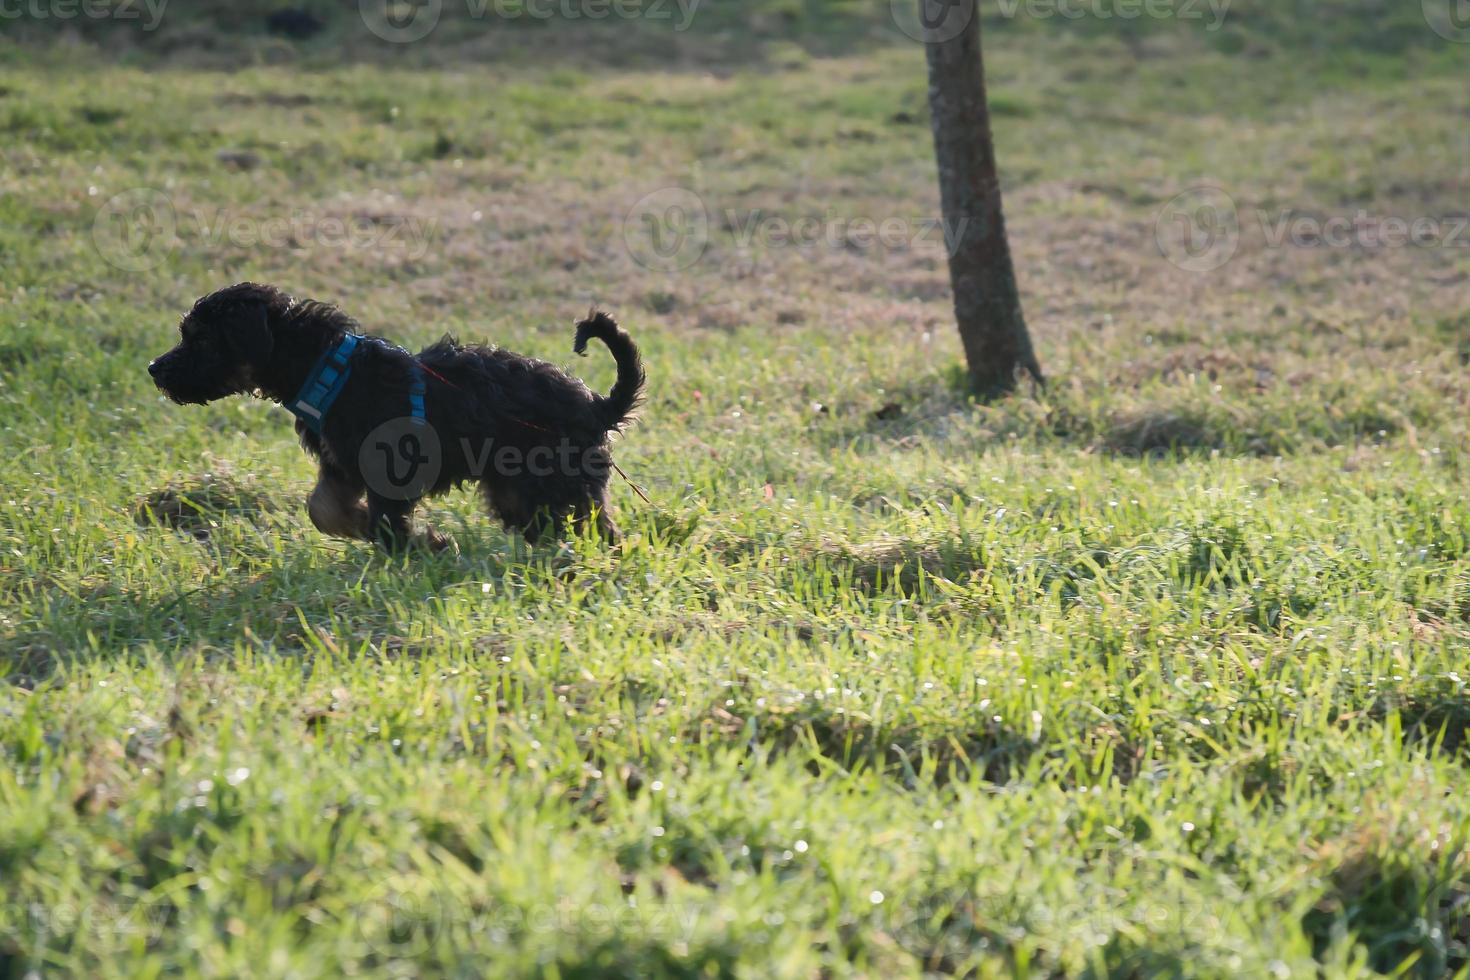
x: 1158, y: 672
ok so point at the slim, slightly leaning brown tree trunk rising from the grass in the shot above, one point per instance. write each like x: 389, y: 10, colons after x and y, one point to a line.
x: 987, y: 302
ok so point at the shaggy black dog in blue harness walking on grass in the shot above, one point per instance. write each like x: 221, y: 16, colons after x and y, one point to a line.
x: 393, y: 427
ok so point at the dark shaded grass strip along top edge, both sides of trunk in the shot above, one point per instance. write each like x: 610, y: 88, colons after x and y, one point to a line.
x: 680, y: 36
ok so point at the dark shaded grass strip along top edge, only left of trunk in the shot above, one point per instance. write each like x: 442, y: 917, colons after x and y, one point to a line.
x: 671, y: 36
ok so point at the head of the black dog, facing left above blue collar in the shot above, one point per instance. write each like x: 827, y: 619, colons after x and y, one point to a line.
x: 226, y: 343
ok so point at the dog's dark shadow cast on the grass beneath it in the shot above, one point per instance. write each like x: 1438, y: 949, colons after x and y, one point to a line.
x: 286, y: 600
